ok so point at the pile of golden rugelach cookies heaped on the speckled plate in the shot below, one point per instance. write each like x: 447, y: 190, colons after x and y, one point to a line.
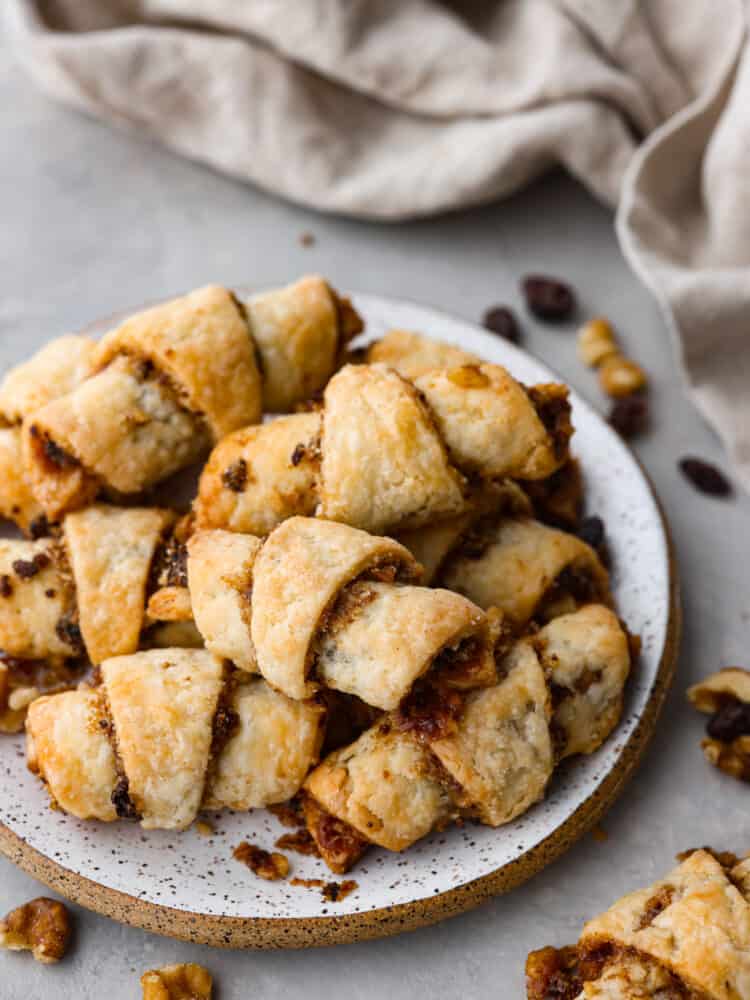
x: 373, y: 603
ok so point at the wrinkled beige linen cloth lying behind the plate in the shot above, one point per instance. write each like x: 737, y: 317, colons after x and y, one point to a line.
x: 393, y: 109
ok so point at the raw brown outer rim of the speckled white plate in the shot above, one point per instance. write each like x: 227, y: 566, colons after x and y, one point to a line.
x: 319, y: 931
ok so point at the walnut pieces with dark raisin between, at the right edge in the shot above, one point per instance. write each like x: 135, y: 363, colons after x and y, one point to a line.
x: 725, y: 695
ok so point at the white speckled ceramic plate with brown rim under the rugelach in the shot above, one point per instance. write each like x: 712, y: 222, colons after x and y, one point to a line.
x: 188, y: 885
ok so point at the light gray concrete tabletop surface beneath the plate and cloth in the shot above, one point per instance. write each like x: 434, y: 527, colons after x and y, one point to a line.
x: 92, y: 220
